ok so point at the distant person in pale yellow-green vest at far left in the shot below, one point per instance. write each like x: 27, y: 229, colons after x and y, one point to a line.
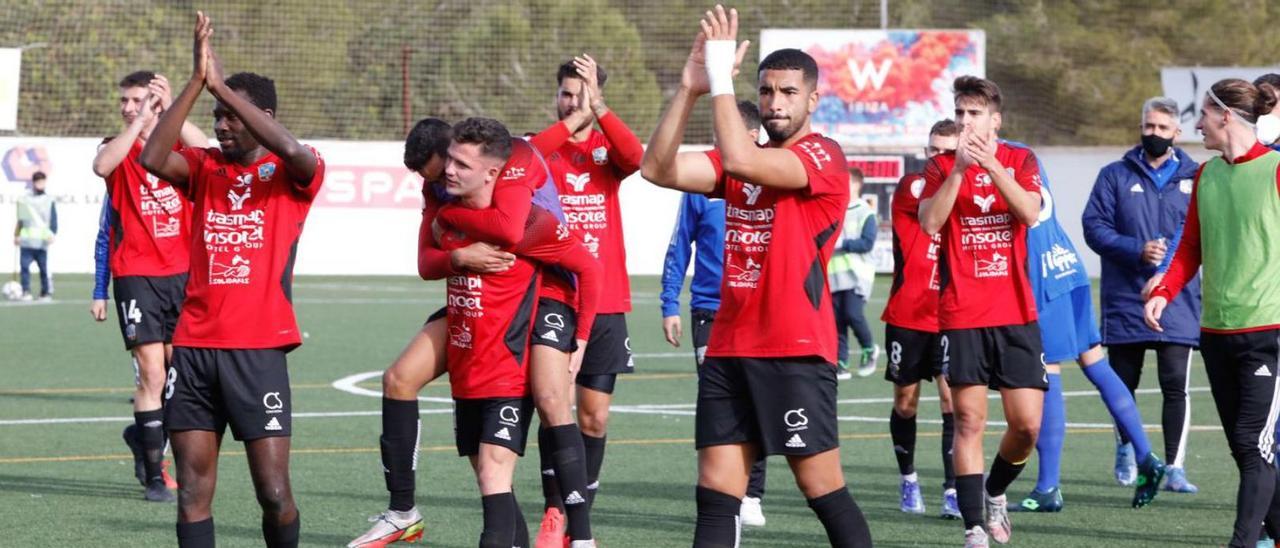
x: 38, y: 223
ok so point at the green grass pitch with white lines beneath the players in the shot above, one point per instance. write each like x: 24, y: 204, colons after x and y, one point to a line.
x: 66, y: 477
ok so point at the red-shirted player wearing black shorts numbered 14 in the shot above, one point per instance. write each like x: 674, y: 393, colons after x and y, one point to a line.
x: 150, y: 243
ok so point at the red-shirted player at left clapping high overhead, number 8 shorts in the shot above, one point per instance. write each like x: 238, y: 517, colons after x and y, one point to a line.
x: 250, y: 200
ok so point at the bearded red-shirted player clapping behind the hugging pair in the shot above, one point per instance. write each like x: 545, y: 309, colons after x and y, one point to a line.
x: 588, y: 167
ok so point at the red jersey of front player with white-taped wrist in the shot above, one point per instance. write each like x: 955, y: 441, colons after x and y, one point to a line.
x: 775, y: 300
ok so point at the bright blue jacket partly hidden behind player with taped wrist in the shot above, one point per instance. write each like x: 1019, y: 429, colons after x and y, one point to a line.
x: 702, y: 223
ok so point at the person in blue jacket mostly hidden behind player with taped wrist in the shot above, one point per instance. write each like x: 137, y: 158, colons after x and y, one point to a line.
x: 701, y: 225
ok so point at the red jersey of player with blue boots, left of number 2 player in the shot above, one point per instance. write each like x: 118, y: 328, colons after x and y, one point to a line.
x: 913, y: 300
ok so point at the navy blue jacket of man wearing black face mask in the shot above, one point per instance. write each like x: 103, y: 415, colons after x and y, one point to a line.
x: 1124, y: 212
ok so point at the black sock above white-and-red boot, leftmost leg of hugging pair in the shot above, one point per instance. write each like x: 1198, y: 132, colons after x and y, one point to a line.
x: 401, y: 432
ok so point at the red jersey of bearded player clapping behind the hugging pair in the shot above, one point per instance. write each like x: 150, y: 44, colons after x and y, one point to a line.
x: 588, y: 176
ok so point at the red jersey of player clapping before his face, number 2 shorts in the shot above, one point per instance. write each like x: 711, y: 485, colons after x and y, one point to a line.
x: 984, y: 258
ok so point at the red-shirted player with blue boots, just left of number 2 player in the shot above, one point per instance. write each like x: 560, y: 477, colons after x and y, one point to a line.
x: 912, y: 332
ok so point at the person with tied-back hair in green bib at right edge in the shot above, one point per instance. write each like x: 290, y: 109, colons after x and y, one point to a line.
x: 1233, y: 232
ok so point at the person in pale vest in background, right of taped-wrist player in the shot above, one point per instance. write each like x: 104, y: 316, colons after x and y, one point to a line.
x: 851, y: 276
